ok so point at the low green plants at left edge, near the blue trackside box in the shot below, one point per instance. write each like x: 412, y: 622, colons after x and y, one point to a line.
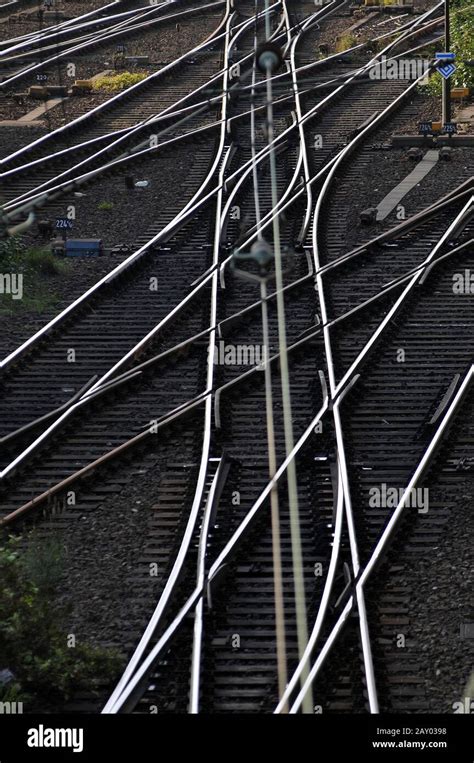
x: 35, y: 266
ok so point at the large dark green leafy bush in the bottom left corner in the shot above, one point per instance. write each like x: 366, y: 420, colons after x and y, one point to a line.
x: 33, y: 645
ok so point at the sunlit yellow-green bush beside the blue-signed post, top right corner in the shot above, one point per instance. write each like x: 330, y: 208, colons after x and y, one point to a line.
x: 462, y: 43
